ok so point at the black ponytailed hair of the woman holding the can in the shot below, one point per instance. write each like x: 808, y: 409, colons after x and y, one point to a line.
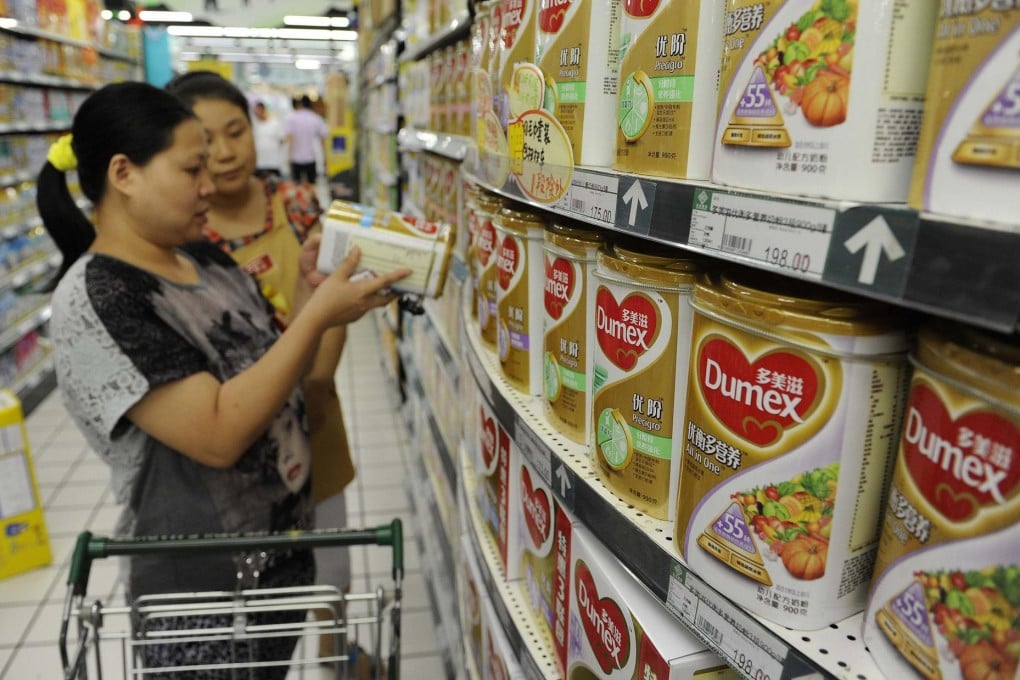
x: 131, y: 119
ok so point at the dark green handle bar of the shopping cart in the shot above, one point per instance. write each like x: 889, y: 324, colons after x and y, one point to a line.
x: 91, y: 548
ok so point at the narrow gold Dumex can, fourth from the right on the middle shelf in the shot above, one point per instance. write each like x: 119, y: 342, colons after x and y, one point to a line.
x: 570, y: 339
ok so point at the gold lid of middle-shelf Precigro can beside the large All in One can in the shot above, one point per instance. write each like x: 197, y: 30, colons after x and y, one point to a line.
x: 645, y: 264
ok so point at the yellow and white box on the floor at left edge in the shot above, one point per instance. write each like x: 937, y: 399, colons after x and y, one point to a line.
x: 24, y: 542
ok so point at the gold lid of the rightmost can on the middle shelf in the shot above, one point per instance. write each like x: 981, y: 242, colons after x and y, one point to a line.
x: 984, y: 359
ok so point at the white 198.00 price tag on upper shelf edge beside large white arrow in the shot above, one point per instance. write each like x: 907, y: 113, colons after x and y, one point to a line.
x: 793, y: 238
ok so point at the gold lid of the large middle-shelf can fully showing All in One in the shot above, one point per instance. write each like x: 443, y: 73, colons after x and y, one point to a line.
x: 761, y: 298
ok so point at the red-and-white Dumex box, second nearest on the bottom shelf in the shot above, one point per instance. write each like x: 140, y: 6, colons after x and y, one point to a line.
x: 543, y: 556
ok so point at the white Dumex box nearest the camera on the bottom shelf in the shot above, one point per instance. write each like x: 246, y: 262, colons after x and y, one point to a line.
x: 620, y: 631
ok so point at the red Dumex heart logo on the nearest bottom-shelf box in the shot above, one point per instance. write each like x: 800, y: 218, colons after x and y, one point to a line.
x: 603, y: 622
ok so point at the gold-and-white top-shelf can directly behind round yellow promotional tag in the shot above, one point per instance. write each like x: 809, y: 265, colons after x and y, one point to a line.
x: 578, y: 55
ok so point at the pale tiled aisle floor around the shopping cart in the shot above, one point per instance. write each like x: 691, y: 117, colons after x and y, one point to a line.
x: 74, y: 488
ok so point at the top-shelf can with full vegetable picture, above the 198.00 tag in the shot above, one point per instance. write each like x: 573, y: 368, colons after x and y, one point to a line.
x: 803, y: 112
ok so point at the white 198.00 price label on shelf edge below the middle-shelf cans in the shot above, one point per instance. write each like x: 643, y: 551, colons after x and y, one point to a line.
x: 732, y: 633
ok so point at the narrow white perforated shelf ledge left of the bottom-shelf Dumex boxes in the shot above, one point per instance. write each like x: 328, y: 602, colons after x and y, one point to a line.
x: 508, y: 599
